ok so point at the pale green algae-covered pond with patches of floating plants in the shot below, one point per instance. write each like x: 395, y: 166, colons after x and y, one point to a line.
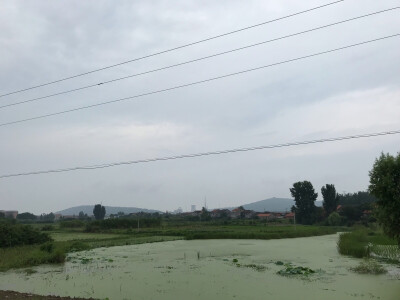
x: 208, y: 269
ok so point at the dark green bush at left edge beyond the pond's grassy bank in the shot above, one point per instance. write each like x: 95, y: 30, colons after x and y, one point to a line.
x: 16, y: 234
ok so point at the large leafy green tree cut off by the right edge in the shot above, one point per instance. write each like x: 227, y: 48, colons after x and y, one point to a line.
x: 384, y: 181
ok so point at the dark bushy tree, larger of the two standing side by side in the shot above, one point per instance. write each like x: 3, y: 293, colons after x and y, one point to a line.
x: 304, y: 196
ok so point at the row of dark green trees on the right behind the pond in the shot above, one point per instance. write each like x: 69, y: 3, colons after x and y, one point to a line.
x: 380, y: 203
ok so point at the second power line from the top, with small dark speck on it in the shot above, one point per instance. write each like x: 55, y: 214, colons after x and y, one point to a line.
x: 197, y: 59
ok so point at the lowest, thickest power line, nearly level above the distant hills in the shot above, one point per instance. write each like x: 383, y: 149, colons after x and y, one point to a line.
x: 290, y: 144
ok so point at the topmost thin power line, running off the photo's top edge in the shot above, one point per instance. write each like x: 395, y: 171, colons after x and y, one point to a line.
x: 171, y: 49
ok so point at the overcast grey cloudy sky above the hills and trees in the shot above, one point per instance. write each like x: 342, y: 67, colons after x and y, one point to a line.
x: 354, y: 91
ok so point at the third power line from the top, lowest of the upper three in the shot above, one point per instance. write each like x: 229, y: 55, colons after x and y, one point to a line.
x: 196, y: 82
